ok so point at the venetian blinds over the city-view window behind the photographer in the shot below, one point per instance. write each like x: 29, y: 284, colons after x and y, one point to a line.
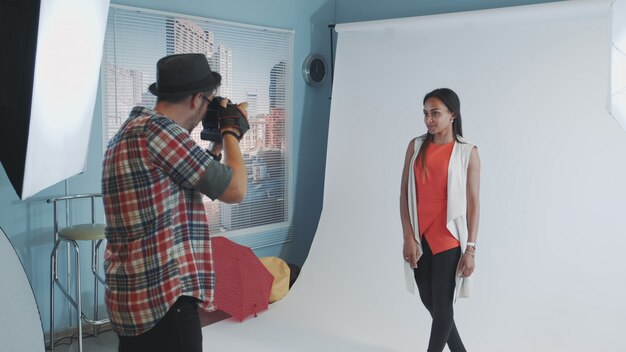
x: 256, y: 66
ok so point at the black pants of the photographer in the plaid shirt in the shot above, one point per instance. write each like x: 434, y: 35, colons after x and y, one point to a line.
x: 178, y: 331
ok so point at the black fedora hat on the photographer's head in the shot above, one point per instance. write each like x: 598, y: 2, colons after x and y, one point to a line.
x: 182, y: 74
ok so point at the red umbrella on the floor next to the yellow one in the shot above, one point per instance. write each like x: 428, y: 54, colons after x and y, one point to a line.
x: 242, y: 283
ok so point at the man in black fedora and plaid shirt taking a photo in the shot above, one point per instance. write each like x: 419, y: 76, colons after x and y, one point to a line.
x: 158, y: 262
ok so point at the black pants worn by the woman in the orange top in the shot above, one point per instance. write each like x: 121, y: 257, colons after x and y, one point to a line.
x: 435, y: 278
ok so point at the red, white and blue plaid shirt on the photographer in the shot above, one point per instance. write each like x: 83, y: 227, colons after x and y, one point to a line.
x: 158, y: 245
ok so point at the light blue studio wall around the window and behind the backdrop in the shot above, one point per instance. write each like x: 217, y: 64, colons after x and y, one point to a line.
x: 29, y: 223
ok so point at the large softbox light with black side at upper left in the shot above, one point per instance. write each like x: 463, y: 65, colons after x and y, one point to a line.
x: 49, y: 72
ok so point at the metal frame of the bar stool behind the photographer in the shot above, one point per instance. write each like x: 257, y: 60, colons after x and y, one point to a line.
x: 76, y: 303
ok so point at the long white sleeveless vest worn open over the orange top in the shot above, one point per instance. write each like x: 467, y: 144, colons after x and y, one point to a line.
x: 457, y: 204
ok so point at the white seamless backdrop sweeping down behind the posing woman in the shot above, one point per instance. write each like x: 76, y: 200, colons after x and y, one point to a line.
x: 533, y: 84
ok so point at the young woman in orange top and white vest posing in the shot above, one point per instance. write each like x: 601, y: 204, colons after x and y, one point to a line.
x: 439, y: 208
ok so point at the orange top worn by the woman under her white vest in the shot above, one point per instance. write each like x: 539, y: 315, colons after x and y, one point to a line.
x: 432, y: 197
